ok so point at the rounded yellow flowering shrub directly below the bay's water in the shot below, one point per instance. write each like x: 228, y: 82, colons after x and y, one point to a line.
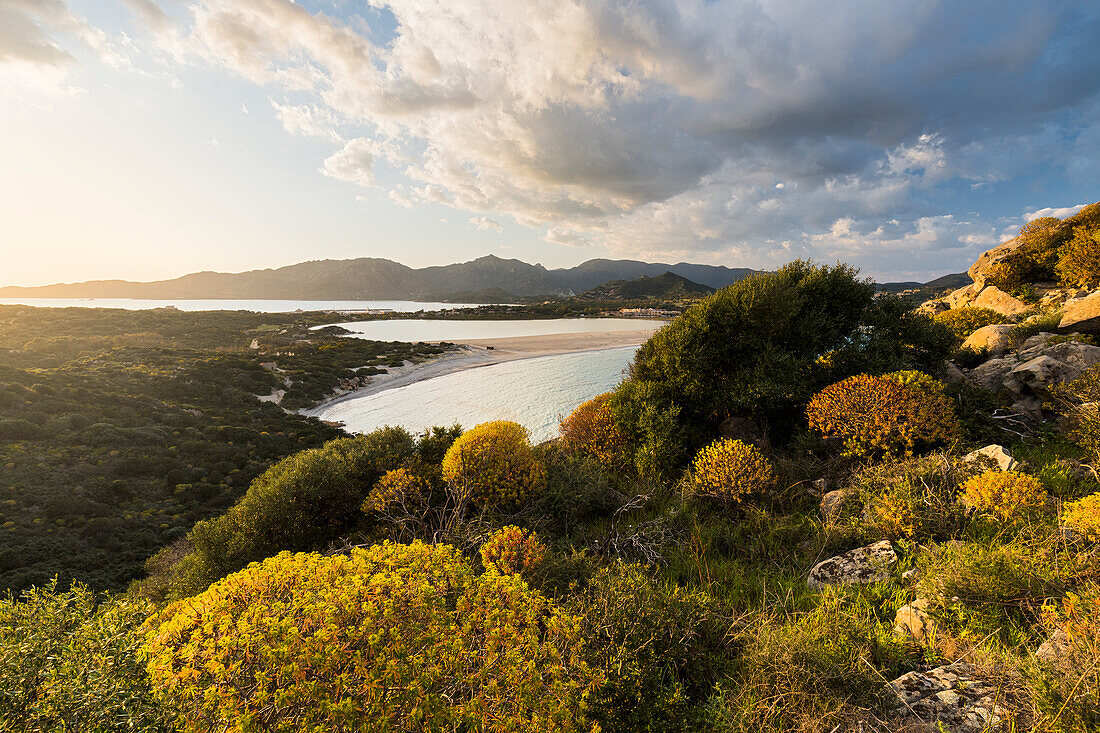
x: 494, y: 465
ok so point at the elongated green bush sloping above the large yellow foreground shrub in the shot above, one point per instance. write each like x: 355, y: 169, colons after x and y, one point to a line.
x: 303, y: 502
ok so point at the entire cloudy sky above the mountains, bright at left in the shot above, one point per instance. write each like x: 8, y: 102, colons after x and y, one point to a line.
x: 147, y: 139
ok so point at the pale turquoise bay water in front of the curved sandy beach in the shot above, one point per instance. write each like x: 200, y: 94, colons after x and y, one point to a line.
x: 536, y: 393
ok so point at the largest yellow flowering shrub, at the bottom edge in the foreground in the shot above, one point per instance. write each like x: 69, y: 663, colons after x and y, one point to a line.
x: 394, y: 638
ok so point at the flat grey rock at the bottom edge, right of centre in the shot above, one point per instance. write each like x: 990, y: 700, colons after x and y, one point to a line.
x: 953, y: 697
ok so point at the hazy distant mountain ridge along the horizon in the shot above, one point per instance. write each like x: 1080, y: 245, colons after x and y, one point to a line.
x: 373, y: 279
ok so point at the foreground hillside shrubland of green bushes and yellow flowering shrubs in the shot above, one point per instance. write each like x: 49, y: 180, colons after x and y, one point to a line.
x: 648, y: 572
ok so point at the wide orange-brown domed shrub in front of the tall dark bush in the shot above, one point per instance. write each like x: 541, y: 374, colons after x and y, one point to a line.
x: 879, y: 414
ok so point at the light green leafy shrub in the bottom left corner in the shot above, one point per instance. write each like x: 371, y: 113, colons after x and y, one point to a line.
x: 71, y: 662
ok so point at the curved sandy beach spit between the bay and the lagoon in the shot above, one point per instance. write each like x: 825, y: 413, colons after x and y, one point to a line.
x: 485, y: 353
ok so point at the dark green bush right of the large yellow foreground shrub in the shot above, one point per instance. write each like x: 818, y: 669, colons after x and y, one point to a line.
x: 663, y: 649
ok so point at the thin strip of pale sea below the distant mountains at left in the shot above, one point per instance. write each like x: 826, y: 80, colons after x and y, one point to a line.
x: 214, y: 304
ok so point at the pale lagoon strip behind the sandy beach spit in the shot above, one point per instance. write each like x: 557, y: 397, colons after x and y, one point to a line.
x: 463, y: 331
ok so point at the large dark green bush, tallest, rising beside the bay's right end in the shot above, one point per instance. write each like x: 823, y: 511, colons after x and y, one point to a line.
x: 761, y: 349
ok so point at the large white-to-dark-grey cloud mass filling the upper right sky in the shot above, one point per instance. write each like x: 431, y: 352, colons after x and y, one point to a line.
x: 732, y: 129
